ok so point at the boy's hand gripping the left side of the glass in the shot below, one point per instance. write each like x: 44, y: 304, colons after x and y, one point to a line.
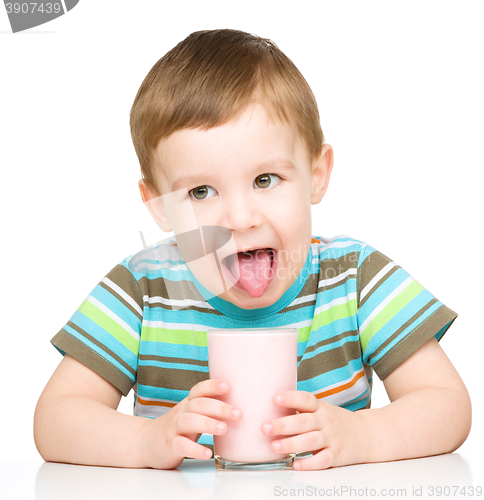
x: 168, y: 439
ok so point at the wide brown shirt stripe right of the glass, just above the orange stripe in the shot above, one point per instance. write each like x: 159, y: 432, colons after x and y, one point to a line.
x: 327, y: 361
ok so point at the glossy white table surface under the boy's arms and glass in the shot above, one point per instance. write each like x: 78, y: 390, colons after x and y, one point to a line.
x: 197, y: 479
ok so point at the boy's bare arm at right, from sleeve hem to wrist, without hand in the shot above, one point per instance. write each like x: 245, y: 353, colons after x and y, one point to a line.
x: 430, y: 411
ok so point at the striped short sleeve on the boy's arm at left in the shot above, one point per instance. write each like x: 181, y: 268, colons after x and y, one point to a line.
x: 104, y: 332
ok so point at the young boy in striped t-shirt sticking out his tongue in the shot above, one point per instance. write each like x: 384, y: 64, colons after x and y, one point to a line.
x: 228, y: 136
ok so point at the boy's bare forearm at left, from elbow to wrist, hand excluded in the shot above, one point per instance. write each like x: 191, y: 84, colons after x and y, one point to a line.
x: 80, y: 430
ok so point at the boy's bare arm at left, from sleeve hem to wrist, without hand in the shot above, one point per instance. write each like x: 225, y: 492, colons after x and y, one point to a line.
x: 76, y: 420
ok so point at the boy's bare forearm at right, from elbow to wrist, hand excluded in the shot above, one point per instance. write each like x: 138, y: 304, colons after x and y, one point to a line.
x: 422, y: 423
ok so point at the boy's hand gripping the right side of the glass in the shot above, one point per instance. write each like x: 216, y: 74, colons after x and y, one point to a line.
x: 334, y: 435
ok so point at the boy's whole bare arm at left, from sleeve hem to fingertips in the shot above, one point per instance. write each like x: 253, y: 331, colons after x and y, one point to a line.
x: 76, y: 422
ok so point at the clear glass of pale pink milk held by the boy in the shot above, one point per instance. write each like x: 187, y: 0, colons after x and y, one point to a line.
x: 258, y: 363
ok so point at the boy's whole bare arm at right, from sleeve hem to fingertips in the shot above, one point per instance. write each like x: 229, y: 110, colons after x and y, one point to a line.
x: 430, y: 413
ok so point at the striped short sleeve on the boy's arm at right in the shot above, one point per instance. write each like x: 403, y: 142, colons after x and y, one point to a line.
x: 396, y: 314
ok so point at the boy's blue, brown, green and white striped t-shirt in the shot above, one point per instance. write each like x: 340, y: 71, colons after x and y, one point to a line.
x: 144, y: 326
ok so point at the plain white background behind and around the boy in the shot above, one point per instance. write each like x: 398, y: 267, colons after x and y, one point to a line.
x: 399, y: 87
